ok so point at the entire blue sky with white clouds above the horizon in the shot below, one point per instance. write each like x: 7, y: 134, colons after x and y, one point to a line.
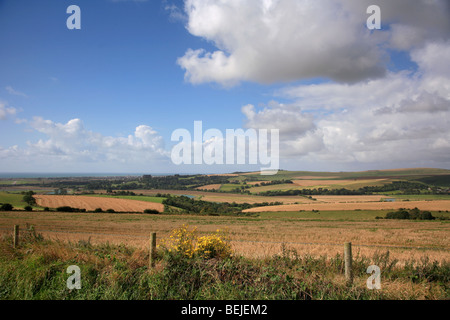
x: 108, y: 96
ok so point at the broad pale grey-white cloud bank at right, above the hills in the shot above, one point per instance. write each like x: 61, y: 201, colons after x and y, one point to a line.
x: 402, y: 118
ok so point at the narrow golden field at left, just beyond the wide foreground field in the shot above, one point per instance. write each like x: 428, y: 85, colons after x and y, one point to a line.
x: 91, y: 203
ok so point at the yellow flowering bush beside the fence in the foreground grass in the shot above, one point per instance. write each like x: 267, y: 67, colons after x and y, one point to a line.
x: 186, y: 242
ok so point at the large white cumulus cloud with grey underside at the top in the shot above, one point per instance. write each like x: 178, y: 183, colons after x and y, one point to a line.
x: 283, y: 40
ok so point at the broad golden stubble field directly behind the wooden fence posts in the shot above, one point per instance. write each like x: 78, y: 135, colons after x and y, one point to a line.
x: 251, y: 236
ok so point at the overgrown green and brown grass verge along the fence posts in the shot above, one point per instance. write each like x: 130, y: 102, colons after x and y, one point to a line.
x: 37, y: 270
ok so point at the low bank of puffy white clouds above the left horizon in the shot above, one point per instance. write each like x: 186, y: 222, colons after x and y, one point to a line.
x: 71, y: 143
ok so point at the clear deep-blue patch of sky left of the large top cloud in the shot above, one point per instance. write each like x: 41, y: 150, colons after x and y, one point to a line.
x: 120, y: 67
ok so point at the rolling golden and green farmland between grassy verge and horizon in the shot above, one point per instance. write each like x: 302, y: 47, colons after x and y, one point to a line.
x: 312, y: 226
